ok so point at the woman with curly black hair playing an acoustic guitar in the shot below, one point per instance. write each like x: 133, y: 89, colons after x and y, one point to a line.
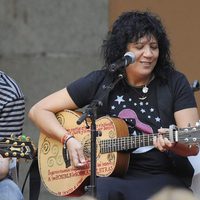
x: 151, y: 95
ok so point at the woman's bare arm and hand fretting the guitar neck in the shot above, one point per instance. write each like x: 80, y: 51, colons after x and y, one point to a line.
x: 183, y: 118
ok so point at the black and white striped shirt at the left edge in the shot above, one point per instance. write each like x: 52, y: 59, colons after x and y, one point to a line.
x: 12, y: 107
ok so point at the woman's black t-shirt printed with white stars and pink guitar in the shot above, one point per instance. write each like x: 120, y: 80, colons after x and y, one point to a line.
x: 139, y: 110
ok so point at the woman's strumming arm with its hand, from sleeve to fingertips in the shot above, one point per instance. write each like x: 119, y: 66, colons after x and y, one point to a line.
x: 43, y: 115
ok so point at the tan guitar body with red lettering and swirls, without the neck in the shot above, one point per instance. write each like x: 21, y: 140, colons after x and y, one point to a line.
x: 70, y: 181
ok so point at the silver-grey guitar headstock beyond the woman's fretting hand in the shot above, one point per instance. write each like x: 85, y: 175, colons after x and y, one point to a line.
x: 189, y: 135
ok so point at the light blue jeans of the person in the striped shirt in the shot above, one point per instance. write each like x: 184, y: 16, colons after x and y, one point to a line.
x: 9, y: 190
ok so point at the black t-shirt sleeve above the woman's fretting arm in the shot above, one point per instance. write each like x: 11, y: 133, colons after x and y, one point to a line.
x: 183, y: 94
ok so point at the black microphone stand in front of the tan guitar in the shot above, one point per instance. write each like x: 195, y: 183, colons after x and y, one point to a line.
x: 91, y: 112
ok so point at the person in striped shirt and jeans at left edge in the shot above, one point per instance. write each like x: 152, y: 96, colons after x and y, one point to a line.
x: 12, y: 111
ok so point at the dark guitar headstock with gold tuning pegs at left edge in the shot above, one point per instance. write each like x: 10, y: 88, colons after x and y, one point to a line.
x: 20, y: 147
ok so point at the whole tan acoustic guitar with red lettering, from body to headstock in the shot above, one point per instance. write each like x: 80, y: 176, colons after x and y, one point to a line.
x: 63, y: 180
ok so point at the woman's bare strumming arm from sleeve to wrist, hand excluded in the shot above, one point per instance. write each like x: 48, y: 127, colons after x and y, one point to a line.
x: 43, y: 113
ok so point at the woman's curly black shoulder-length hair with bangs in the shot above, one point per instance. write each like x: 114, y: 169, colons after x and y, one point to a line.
x: 130, y: 27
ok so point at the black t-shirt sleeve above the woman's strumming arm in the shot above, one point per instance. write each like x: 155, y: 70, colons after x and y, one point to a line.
x: 83, y: 90
